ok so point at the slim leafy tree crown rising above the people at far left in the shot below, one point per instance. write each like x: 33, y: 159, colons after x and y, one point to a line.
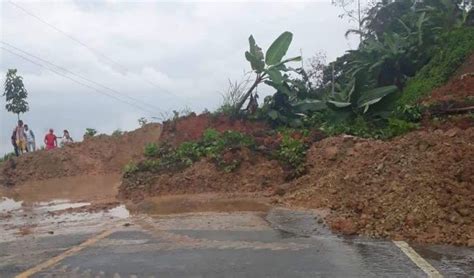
x: 15, y: 93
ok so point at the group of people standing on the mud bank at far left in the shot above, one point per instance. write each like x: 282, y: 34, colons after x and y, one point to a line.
x: 23, y: 139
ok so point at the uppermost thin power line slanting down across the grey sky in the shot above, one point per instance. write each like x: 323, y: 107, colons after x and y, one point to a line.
x: 90, y: 48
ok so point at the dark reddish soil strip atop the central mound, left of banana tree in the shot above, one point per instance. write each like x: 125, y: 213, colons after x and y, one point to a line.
x: 192, y: 127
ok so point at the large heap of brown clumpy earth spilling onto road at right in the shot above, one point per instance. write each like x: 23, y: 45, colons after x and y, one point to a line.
x: 417, y: 187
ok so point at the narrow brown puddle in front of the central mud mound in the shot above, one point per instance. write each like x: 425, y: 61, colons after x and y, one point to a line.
x: 197, y: 203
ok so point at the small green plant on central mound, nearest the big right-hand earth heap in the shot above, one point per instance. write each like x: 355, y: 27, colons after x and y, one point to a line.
x: 292, y: 152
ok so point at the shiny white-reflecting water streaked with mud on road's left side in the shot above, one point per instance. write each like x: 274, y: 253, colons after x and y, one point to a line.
x: 59, y: 216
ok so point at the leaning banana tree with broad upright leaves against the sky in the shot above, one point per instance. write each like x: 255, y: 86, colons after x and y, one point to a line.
x: 269, y: 67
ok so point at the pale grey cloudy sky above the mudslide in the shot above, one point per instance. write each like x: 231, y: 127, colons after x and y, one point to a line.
x: 155, y: 56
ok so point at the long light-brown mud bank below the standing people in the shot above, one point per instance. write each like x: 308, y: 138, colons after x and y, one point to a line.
x: 101, y: 154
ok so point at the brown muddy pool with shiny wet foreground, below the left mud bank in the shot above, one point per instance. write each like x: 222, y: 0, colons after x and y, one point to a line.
x: 60, y: 206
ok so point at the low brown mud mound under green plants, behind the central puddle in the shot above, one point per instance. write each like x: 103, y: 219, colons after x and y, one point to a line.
x: 255, y: 174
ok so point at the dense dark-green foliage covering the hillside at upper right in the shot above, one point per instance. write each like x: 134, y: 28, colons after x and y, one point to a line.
x: 407, y: 48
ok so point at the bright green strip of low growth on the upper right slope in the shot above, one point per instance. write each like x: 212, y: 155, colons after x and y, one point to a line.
x: 456, y: 47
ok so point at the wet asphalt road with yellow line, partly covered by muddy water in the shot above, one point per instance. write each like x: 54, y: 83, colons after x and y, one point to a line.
x: 200, y: 236
